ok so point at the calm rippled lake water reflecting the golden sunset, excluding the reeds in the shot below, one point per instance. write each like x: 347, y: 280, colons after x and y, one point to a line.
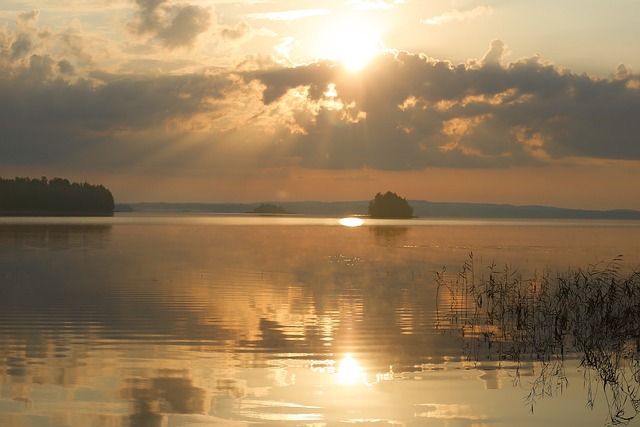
x: 204, y: 320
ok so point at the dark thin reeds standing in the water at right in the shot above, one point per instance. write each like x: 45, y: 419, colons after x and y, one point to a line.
x: 592, y: 315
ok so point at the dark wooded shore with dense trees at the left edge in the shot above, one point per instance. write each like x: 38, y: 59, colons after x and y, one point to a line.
x: 24, y: 196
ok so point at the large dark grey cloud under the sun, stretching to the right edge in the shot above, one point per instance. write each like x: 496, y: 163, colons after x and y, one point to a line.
x: 414, y: 112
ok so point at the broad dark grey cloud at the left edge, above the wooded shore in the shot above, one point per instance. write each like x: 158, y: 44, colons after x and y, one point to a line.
x: 47, y: 119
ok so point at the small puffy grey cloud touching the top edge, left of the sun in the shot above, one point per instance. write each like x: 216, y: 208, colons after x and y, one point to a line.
x: 174, y: 25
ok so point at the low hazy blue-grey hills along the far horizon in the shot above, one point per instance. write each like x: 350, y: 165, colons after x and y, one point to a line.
x: 422, y: 209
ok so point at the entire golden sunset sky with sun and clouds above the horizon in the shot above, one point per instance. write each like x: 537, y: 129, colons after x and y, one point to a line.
x: 515, y: 102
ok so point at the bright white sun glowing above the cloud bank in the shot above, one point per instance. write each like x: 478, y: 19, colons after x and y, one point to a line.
x: 351, y: 42
